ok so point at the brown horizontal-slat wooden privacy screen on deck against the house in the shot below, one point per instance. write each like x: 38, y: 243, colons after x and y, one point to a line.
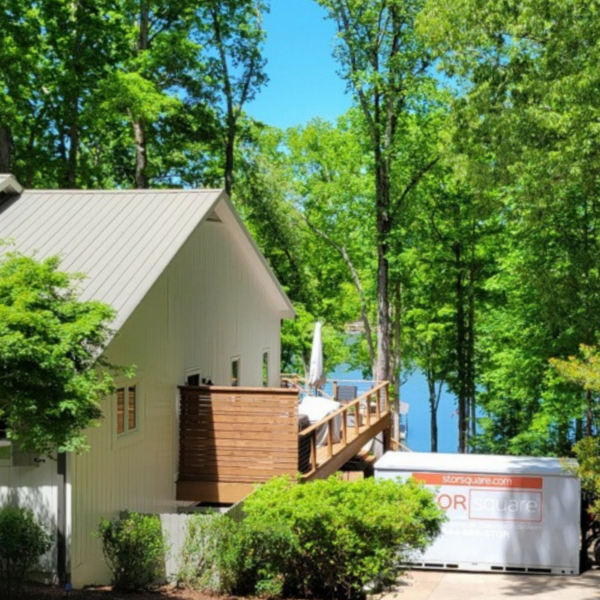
x: 234, y: 436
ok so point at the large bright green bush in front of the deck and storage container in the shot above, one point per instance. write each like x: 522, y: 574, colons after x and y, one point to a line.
x: 326, y: 539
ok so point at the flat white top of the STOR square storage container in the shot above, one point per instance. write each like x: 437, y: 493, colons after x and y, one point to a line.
x: 473, y: 463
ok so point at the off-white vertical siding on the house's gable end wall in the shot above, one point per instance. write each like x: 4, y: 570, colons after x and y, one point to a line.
x: 204, y: 309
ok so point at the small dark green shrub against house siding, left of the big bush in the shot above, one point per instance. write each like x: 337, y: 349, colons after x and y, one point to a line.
x: 134, y: 549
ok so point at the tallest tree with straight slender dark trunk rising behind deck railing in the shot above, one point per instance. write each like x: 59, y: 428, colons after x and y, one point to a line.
x: 386, y: 67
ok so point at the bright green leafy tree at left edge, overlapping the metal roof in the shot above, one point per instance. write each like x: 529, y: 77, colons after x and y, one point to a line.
x: 51, y: 379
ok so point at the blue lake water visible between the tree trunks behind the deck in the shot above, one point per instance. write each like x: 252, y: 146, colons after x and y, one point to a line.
x: 414, y: 392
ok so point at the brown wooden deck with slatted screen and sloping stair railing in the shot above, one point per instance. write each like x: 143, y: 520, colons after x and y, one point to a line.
x: 233, y: 438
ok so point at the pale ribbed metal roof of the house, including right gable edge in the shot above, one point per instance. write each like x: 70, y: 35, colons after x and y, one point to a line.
x: 122, y: 240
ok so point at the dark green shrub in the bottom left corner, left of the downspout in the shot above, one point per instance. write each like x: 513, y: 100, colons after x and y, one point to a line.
x: 22, y: 542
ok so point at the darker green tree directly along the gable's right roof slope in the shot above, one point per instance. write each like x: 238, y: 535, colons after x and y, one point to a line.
x: 267, y: 198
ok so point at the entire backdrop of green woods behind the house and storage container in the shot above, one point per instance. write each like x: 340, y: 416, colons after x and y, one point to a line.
x: 450, y: 217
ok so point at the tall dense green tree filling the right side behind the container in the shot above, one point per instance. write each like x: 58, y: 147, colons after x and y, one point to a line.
x: 527, y: 93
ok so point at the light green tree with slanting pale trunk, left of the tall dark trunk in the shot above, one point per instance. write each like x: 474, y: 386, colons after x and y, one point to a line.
x: 332, y: 193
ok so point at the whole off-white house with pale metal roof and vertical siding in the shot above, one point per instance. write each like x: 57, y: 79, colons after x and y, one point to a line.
x: 194, y: 298
